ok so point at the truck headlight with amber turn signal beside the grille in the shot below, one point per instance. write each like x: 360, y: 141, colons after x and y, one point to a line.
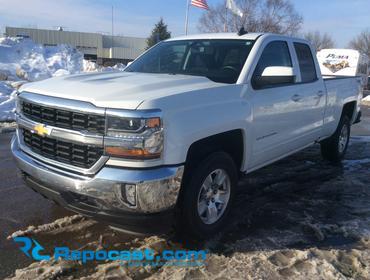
x: 134, y: 138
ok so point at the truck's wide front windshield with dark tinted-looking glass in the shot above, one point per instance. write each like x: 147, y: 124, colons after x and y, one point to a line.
x: 218, y: 60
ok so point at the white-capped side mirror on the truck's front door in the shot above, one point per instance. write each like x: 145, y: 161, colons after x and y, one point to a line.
x: 274, y: 75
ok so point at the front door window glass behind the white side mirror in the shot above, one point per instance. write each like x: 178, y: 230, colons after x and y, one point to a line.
x: 276, y: 53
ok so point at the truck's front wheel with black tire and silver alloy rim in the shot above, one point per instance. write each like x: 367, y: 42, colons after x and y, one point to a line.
x: 194, y: 198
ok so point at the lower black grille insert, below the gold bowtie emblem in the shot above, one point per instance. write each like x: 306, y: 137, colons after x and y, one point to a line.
x: 79, y: 155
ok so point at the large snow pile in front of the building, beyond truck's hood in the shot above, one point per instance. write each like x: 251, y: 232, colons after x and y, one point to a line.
x: 24, y: 61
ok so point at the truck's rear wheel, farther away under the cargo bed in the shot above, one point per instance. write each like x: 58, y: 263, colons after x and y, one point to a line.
x: 334, y: 148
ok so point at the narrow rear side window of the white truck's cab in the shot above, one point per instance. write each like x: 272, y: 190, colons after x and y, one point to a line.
x: 306, y: 62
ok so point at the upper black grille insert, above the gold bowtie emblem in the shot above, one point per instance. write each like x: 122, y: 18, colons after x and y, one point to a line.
x: 63, y: 118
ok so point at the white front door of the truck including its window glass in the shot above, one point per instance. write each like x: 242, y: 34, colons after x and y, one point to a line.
x: 278, y: 110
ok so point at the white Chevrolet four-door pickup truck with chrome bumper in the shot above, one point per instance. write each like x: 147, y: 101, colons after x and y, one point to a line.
x: 165, y: 141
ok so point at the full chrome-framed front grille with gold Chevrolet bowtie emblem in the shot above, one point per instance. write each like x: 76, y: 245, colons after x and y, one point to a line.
x: 63, y: 133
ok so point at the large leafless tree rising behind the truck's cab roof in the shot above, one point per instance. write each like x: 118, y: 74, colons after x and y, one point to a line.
x: 276, y: 16
